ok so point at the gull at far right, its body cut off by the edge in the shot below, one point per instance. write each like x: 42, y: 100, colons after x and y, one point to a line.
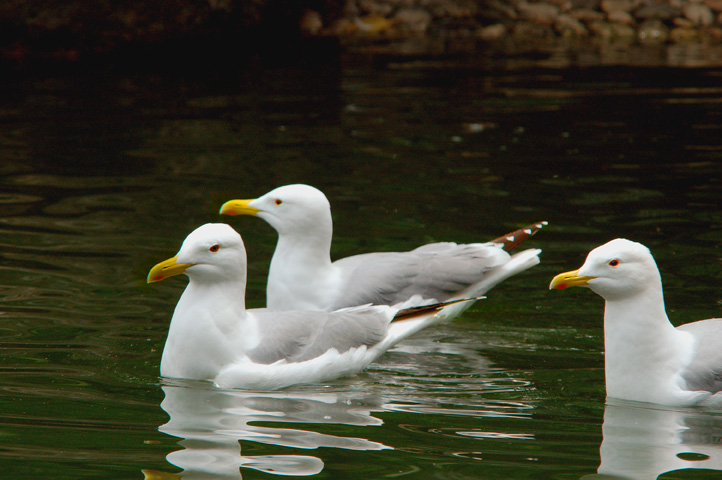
x: 646, y: 358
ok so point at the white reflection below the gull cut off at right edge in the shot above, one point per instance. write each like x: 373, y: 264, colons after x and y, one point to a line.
x: 643, y: 441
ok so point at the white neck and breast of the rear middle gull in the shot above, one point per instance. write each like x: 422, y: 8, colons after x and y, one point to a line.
x: 301, y: 275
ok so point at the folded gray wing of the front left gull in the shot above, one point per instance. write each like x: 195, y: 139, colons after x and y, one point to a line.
x: 297, y: 336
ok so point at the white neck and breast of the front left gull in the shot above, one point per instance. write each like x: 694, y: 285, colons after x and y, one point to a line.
x: 200, y: 344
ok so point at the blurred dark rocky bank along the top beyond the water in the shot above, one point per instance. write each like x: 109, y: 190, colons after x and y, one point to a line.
x: 62, y: 31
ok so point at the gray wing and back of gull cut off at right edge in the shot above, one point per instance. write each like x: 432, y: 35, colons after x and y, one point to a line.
x: 705, y: 371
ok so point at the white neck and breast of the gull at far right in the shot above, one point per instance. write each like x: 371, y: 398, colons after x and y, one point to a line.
x: 644, y: 353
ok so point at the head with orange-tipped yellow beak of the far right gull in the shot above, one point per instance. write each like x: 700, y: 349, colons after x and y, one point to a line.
x: 618, y: 269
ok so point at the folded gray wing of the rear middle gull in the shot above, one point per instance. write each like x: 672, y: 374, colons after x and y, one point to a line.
x: 436, y: 271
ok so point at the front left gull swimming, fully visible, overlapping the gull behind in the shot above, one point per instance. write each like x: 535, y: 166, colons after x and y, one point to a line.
x: 213, y: 337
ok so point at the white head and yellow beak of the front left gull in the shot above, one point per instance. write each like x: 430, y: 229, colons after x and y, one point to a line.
x: 213, y: 251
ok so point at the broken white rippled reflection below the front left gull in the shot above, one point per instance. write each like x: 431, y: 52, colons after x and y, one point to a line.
x: 213, y: 423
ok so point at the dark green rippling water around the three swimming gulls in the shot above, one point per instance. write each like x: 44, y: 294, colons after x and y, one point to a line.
x: 103, y: 175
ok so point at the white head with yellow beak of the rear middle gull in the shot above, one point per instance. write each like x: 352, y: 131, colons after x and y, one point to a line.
x: 288, y: 209
